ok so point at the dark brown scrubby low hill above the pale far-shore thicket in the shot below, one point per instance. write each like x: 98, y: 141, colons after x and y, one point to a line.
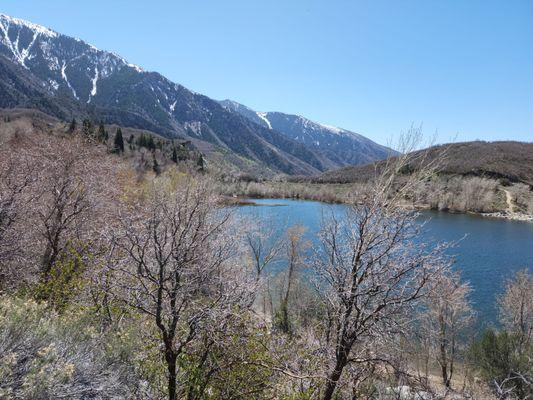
x: 508, y: 160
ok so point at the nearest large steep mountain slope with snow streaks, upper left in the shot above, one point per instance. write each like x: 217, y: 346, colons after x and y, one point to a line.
x: 67, y: 77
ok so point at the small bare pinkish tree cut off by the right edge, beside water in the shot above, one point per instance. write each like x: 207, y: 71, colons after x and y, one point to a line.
x: 516, y: 305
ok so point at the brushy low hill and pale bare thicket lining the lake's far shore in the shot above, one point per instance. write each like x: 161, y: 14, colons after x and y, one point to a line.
x: 492, y: 178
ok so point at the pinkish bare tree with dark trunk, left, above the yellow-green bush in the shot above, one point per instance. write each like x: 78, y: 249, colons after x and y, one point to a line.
x: 73, y: 190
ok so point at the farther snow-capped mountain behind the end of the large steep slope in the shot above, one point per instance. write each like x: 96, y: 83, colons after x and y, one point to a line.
x: 339, y: 145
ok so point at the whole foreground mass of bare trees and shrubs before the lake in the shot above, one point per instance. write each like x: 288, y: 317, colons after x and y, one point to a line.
x: 122, y: 280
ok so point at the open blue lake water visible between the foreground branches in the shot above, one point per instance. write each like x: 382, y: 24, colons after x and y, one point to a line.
x: 491, y: 252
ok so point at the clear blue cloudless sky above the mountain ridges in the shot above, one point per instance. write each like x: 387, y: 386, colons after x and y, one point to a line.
x: 462, y: 68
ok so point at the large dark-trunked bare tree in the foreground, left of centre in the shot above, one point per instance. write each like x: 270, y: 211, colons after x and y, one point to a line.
x: 176, y: 267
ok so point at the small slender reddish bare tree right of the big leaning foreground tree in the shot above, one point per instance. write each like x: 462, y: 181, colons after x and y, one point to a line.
x: 448, y: 315
